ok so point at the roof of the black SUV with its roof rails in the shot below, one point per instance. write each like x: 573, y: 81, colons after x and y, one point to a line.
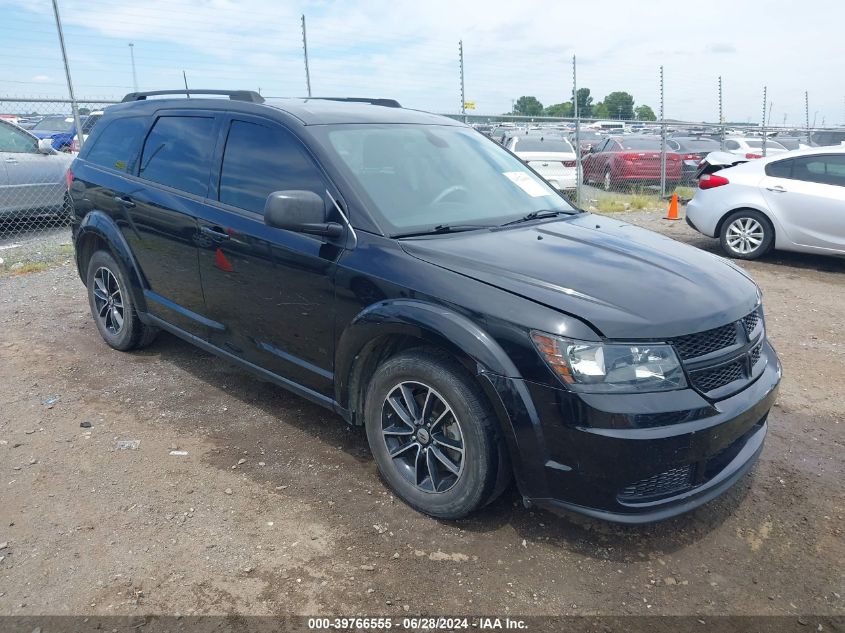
x: 306, y: 111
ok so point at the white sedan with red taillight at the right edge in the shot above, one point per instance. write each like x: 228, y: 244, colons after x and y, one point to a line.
x: 791, y: 201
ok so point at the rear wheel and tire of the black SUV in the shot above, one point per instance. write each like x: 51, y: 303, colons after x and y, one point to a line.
x: 112, y: 306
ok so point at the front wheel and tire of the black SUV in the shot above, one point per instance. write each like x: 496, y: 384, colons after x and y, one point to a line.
x: 433, y: 435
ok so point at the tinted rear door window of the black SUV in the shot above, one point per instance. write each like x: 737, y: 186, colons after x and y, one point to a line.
x: 178, y: 153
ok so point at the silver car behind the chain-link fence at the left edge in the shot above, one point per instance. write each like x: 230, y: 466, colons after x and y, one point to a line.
x: 32, y: 174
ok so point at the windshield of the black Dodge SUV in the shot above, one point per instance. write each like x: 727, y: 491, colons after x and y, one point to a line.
x: 418, y: 177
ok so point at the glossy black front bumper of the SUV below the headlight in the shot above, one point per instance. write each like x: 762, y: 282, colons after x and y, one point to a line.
x: 633, y: 458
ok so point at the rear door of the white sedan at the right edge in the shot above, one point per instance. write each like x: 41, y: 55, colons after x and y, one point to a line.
x: 807, y: 194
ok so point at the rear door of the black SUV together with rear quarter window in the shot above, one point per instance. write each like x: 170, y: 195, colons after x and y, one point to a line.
x: 154, y: 194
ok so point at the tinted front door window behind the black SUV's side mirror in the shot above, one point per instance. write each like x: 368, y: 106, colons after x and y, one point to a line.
x: 259, y: 160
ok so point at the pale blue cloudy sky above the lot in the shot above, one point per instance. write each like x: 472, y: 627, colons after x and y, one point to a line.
x: 409, y: 51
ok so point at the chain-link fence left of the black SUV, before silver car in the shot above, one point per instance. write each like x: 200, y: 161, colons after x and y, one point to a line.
x: 38, y: 141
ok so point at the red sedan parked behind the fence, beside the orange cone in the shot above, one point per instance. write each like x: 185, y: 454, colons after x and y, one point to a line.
x: 630, y: 160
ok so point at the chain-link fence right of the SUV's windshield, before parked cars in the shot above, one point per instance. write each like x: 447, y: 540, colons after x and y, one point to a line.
x: 614, y: 165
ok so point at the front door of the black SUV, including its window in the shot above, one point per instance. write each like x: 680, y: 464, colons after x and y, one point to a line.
x: 271, y: 289
